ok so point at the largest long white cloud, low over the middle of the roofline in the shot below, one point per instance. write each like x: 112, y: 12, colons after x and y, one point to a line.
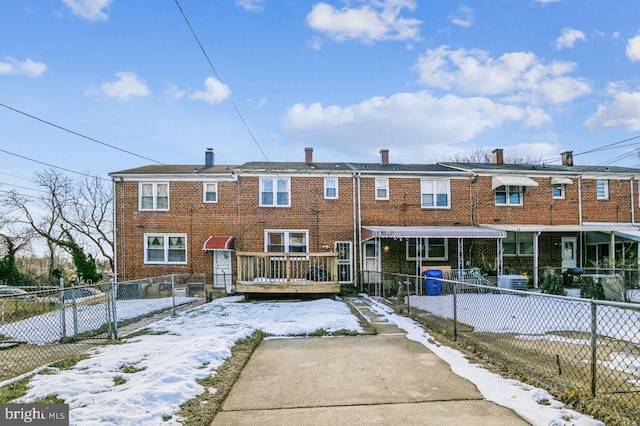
x: 412, y: 121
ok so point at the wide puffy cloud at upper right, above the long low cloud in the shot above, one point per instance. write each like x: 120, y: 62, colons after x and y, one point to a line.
x: 518, y: 76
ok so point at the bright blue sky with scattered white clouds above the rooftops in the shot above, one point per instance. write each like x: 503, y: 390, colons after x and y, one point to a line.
x: 424, y: 79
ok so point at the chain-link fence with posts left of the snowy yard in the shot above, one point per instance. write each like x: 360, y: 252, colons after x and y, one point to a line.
x: 44, y: 325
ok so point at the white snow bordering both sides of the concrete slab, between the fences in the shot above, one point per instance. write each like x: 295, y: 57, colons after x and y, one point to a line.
x: 197, y: 342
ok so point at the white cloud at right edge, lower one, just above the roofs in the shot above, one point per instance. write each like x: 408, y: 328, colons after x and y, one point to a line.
x: 622, y: 111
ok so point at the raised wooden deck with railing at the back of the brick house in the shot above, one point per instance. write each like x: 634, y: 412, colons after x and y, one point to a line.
x: 312, y: 273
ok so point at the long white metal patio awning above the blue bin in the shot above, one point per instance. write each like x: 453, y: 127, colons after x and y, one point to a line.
x: 369, y: 232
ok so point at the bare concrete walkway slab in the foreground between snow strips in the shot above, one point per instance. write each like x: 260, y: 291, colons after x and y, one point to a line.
x: 384, y: 379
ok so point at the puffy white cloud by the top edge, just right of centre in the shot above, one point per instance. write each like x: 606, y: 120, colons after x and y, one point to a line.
x: 376, y: 20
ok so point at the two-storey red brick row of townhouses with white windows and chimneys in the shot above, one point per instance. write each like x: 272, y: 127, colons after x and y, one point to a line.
x: 379, y: 216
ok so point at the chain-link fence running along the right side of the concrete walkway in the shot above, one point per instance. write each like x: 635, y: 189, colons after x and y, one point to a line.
x: 584, y: 351
